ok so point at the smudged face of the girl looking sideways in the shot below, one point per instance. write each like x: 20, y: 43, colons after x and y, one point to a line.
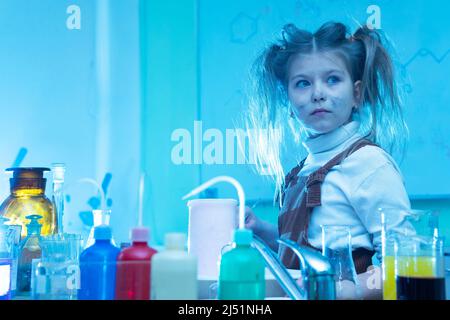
x: 321, y: 91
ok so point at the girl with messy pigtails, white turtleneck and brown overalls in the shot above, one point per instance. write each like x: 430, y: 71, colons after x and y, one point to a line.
x: 337, y: 93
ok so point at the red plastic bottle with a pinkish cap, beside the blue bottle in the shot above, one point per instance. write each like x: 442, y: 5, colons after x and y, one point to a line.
x: 134, y: 268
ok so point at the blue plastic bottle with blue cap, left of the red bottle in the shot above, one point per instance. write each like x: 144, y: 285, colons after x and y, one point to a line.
x: 98, y: 267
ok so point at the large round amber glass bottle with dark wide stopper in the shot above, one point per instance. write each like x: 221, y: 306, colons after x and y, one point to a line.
x: 28, y: 197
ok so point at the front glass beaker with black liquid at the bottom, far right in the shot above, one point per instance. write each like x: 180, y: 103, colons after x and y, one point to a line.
x: 420, y: 273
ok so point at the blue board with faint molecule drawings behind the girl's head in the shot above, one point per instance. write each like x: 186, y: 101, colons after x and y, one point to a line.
x: 232, y: 32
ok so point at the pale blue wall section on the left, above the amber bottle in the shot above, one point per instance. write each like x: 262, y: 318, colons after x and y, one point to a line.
x: 73, y: 96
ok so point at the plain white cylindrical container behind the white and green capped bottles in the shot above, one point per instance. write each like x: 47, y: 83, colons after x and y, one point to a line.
x: 211, y: 225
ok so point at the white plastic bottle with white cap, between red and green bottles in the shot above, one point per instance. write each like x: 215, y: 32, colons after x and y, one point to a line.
x: 174, y: 271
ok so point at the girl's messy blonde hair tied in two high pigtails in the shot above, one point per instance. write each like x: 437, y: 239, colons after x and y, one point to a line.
x: 367, y: 60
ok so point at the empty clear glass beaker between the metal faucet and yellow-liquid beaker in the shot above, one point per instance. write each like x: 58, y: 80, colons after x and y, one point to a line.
x: 337, y: 247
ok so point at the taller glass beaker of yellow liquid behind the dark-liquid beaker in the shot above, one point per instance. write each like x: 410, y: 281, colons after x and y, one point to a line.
x: 396, y: 223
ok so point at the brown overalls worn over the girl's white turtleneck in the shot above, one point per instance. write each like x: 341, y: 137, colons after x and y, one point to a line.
x: 299, y: 197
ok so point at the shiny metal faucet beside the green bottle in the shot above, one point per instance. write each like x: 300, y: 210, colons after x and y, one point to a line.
x: 316, y: 271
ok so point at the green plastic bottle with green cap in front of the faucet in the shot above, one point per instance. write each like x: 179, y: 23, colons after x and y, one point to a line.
x: 241, y: 275
